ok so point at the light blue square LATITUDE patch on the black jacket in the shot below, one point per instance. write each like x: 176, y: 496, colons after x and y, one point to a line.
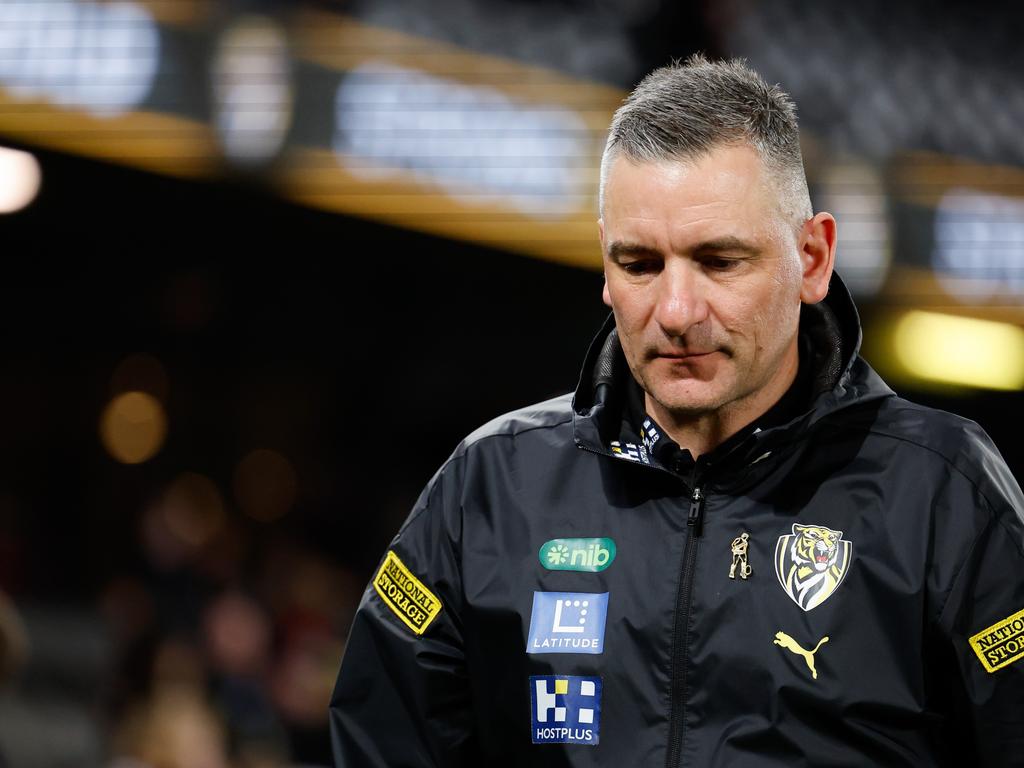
x: 568, y: 623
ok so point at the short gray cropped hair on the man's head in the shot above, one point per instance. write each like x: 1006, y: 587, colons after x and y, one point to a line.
x: 685, y: 111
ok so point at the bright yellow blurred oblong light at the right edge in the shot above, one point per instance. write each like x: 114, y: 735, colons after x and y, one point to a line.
x: 961, y: 351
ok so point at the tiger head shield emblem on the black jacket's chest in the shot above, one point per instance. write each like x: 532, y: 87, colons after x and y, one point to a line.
x: 812, y: 563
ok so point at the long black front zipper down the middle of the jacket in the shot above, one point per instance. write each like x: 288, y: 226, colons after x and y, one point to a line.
x: 680, y: 641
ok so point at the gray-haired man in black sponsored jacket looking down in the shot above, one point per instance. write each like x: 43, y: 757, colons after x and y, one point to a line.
x: 561, y: 595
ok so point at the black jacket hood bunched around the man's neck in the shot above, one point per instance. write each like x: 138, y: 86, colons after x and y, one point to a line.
x: 831, y: 330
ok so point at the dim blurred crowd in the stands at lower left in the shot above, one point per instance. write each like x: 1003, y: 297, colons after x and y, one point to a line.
x: 211, y: 652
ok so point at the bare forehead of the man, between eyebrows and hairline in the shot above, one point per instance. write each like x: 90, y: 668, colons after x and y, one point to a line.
x: 723, y: 193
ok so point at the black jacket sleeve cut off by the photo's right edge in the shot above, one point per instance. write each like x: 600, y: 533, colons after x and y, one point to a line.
x: 984, y: 620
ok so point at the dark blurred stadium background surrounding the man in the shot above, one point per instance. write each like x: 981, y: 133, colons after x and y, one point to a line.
x: 267, y: 264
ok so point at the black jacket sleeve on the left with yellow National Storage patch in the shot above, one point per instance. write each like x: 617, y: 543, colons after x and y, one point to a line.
x: 403, y: 697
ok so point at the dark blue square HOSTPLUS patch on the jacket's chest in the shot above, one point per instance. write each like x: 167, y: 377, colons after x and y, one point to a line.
x: 567, y: 709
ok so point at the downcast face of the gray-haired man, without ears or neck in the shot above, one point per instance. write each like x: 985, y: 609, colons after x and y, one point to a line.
x: 704, y: 275
